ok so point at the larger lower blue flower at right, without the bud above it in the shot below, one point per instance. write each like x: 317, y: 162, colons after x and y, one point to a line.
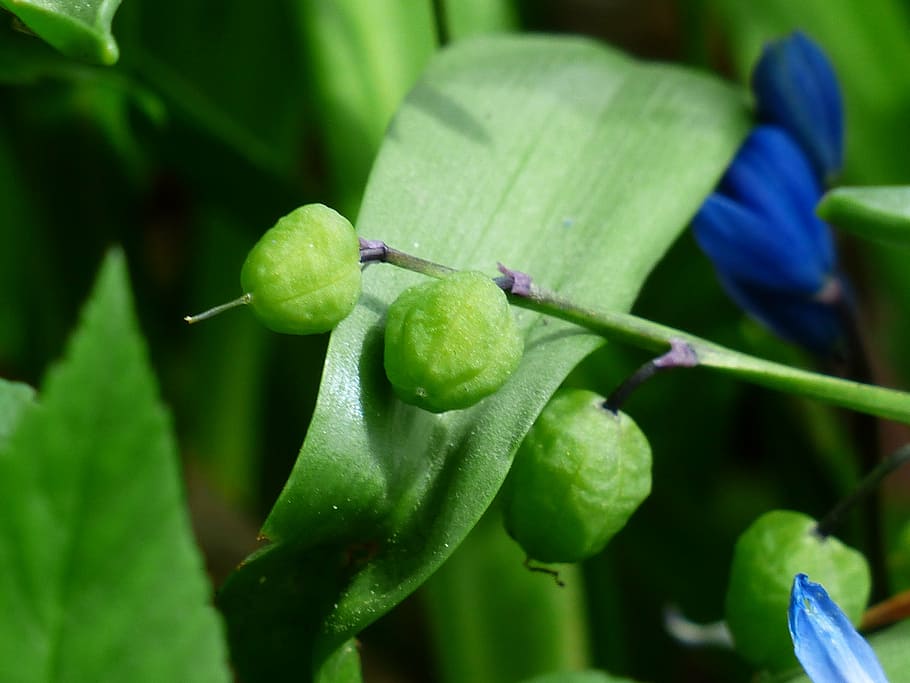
x: 773, y: 255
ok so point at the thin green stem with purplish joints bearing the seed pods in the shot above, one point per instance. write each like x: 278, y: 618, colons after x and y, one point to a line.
x: 634, y: 331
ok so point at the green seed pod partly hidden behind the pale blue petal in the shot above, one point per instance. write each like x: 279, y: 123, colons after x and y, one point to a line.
x: 777, y: 546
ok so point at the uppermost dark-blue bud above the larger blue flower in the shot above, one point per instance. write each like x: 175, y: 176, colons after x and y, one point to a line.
x: 796, y: 88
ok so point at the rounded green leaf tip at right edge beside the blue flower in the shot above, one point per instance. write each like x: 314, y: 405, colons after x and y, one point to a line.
x: 876, y: 213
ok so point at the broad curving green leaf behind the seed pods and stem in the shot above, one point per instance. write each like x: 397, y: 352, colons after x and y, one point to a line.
x: 556, y: 156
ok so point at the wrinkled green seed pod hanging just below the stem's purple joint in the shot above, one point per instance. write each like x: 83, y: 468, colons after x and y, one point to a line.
x: 578, y: 476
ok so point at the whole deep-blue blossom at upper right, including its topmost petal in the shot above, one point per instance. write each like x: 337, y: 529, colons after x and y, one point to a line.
x: 774, y: 256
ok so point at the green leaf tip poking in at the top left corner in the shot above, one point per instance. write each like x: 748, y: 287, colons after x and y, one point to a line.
x: 78, y: 28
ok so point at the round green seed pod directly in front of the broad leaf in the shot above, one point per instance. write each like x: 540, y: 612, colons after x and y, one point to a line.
x: 451, y: 342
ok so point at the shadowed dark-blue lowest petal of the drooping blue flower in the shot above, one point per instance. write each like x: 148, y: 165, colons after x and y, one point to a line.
x: 815, y: 325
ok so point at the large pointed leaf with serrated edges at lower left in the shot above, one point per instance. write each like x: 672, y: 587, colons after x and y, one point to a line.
x: 101, y: 579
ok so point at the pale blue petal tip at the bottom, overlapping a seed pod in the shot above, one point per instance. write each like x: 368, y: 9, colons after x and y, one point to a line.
x: 824, y: 640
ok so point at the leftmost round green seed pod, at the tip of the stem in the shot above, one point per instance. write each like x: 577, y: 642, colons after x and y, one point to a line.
x: 303, y: 275
